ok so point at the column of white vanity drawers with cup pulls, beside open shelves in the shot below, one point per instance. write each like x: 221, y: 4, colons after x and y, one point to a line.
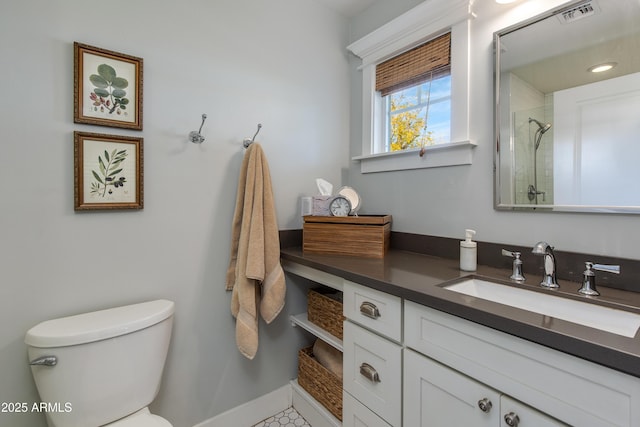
x: 372, y: 358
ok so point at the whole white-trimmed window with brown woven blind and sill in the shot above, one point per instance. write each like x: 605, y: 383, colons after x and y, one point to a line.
x: 432, y: 92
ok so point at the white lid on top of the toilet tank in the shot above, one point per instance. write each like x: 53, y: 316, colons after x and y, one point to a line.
x: 98, y: 325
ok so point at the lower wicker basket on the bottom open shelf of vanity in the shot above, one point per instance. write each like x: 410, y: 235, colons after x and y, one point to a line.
x: 319, y: 382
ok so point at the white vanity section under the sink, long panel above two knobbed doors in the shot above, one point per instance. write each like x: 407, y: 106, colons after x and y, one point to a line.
x: 565, y: 388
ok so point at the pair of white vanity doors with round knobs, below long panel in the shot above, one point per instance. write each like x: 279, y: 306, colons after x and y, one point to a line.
x: 438, y: 396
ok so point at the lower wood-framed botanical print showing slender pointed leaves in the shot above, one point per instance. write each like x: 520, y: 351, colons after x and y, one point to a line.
x: 108, y: 171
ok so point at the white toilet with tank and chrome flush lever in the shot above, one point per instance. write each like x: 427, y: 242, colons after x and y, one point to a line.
x: 102, y: 368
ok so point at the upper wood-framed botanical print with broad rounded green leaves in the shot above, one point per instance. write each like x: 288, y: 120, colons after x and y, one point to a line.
x: 107, y: 87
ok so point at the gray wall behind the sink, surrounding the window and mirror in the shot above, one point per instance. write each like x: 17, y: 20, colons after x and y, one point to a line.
x: 445, y: 201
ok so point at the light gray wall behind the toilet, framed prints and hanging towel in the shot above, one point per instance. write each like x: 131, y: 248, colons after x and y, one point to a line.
x: 281, y: 63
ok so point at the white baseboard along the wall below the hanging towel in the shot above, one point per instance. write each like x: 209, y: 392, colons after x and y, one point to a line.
x: 253, y: 412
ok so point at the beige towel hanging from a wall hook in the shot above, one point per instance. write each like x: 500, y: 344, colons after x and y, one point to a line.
x: 254, y: 275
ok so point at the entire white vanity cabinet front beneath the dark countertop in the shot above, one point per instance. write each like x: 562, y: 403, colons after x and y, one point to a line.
x: 409, y: 365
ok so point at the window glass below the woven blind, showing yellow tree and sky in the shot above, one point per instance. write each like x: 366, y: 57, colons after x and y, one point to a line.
x: 420, y: 115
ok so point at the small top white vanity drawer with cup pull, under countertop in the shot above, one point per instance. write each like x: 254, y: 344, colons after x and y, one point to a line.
x: 378, y: 311
